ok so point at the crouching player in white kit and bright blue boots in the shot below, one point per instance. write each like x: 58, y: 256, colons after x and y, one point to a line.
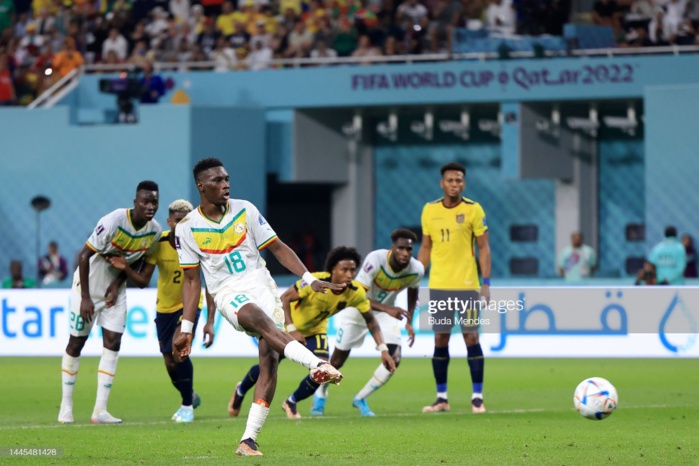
x: 384, y: 274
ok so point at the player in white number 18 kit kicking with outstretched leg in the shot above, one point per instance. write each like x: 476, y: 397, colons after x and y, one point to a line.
x: 223, y: 238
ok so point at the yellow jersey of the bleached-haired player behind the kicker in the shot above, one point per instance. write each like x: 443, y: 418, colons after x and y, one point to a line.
x: 170, y: 278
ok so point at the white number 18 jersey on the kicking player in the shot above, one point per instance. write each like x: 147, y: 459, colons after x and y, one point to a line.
x: 228, y: 251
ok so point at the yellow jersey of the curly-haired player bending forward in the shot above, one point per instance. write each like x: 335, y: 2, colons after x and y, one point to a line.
x: 311, y: 312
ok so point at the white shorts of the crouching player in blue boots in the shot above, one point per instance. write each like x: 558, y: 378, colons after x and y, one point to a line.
x: 351, y: 331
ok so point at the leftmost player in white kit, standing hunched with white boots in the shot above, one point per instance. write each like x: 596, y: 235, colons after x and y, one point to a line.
x: 99, y: 294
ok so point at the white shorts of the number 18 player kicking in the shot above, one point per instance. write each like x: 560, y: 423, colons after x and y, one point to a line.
x: 265, y: 295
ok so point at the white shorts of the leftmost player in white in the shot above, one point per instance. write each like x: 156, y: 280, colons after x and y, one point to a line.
x: 112, y: 318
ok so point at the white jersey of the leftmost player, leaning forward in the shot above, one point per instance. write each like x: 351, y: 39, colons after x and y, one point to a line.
x: 116, y: 235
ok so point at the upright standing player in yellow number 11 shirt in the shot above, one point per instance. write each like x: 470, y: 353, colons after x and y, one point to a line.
x: 451, y: 226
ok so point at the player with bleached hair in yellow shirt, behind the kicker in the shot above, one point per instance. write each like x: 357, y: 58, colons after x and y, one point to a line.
x: 169, y: 307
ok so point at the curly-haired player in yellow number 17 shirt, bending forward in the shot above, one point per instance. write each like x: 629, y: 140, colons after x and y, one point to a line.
x: 306, y: 318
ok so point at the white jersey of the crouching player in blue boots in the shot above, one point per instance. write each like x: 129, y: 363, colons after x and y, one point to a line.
x: 382, y: 283
